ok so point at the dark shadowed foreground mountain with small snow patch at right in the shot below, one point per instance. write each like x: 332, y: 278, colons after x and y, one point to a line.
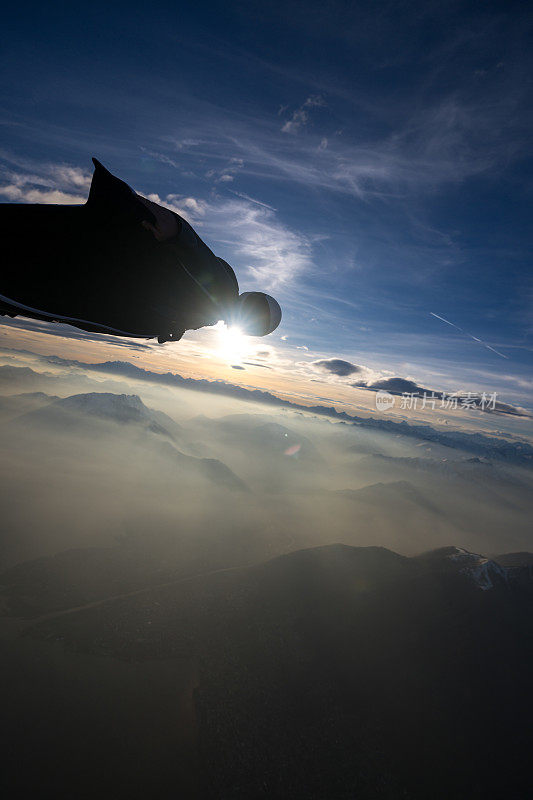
x: 340, y: 671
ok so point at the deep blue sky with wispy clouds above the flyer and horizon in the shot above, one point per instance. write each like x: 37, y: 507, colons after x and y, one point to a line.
x: 367, y: 163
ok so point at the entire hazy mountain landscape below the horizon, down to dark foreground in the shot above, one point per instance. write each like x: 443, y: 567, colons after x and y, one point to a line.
x: 292, y: 593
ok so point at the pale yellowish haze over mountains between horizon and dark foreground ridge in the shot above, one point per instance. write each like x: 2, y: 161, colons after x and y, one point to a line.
x: 214, y: 474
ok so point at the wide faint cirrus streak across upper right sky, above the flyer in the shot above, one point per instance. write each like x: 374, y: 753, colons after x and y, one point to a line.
x: 444, y: 142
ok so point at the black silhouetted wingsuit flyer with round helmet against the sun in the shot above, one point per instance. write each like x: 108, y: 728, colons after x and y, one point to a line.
x: 123, y: 265
